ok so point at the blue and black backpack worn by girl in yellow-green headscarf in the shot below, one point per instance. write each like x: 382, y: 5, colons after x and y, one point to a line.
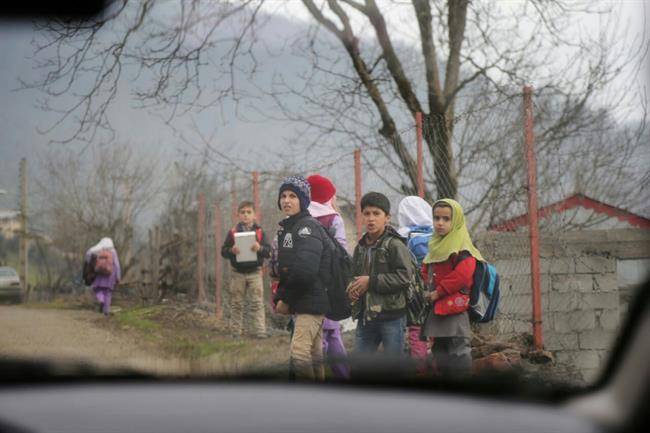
x: 484, y: 296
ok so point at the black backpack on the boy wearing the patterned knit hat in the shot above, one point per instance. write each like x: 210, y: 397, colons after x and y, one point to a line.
x: 337, y: 277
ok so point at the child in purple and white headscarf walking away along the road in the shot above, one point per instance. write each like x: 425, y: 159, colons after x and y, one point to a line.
x: 107, y: 272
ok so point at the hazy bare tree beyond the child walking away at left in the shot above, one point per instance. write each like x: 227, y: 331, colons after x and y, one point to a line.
x: 97, y: 194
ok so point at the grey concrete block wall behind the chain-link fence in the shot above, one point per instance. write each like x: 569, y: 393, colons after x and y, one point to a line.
x: 581, y: 304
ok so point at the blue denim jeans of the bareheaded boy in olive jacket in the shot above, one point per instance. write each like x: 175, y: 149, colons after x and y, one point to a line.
x: 388, y: 332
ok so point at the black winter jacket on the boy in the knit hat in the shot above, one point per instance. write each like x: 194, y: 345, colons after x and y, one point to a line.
x: 303, y: 261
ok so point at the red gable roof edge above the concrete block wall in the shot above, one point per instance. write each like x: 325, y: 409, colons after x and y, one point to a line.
x: 574, y: 201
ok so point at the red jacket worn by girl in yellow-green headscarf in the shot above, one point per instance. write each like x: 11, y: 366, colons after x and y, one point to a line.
x: 450, y: 277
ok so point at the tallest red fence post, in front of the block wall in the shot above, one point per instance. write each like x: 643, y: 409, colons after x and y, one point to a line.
x: 533, y: 217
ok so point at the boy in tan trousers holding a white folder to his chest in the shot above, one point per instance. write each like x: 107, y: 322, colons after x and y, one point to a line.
x: 246, y: 283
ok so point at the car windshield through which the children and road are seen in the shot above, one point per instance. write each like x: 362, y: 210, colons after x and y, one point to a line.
x: 176, y: 179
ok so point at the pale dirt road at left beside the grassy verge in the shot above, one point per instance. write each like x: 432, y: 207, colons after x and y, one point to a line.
x: 75, y: 336
